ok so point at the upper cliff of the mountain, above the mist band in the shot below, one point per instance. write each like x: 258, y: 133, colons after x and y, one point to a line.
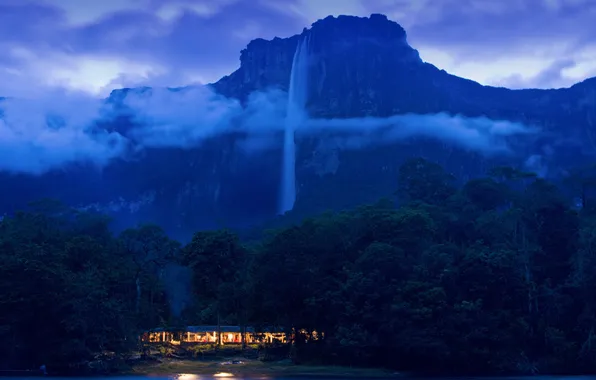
x: 364, y: 66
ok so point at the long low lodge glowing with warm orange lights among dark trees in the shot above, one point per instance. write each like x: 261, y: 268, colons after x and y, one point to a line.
x: 209, y: 334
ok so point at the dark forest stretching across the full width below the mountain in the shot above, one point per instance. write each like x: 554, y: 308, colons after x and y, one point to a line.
x: 492, y: 275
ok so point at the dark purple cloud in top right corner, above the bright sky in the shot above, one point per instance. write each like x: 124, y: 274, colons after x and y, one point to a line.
x: 502, y: 26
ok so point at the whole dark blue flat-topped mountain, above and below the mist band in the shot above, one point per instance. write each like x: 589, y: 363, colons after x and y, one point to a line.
x: 360, y: 67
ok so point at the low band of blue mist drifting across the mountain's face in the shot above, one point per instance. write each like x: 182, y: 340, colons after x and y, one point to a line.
x: 62, y: 128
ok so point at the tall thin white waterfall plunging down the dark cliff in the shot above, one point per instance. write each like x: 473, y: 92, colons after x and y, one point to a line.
x: 296, y: 114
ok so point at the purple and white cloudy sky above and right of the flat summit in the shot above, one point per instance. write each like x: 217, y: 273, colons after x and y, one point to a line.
x: 484, y: 40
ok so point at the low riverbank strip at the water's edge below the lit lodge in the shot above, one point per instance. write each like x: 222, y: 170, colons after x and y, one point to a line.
x: 255, y: 369
